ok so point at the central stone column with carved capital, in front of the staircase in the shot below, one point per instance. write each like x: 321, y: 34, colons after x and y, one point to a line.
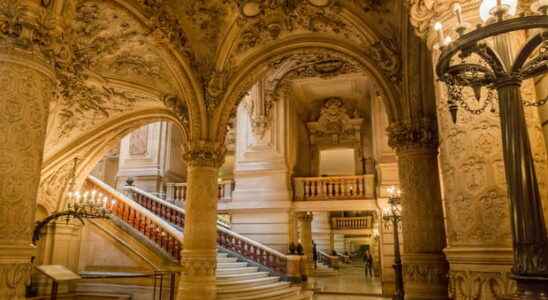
x: 199, y: 255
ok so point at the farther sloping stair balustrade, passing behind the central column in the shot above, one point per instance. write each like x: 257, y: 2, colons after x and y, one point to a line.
x: 227, y: 239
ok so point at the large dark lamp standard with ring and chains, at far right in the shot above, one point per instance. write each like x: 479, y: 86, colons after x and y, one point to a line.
x: 469, y: 62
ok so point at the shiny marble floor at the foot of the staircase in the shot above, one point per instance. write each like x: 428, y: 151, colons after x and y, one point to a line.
x: 348, y: 279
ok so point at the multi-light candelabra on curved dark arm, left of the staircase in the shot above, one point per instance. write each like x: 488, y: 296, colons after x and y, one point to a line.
x: 79, y: 205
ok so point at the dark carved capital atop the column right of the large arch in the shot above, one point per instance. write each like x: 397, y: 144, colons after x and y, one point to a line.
x: 404, y: 136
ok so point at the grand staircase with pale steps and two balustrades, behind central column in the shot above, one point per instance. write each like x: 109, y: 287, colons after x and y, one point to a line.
x: 246, y: 269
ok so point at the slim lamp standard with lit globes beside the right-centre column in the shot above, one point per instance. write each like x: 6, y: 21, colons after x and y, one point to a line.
x: 392, y: 214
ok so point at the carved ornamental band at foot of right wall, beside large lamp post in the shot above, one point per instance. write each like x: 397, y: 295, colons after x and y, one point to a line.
x: 473, y: 285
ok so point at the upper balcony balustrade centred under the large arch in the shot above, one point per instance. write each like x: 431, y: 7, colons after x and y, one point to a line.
x: 334, y: 188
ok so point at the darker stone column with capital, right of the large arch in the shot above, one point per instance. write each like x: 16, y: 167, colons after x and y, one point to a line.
x: 424, y: 265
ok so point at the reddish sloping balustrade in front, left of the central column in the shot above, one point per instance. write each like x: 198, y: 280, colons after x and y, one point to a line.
x: 141, y: 219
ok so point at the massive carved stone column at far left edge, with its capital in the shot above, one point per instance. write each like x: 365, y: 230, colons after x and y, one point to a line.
x: 27, y: 86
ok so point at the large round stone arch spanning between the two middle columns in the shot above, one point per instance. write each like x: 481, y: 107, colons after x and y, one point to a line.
x: 255, y: 67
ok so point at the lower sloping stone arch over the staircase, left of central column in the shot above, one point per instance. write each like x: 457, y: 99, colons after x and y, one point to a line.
x: 90, y: 148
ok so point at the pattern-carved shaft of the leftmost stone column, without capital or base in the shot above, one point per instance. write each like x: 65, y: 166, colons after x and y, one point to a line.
x: 24, y: 100
